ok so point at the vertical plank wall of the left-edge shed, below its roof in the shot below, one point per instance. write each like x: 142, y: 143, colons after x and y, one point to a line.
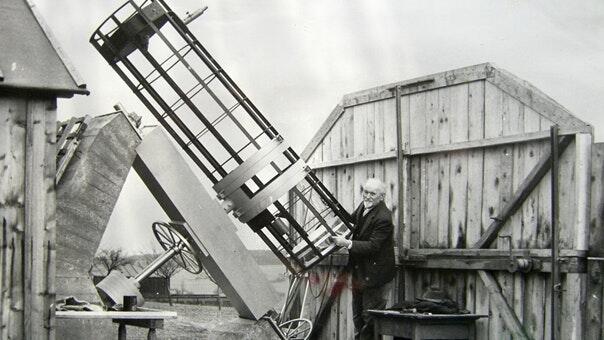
x: 27, y: 214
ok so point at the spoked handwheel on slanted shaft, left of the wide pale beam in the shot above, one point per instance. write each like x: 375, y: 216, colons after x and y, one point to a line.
x: 171, y: 235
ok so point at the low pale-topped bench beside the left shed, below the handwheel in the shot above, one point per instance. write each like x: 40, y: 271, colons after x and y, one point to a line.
x: 144, y: 317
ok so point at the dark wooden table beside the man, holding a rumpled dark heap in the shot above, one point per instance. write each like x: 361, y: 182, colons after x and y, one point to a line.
x: 416, y: 326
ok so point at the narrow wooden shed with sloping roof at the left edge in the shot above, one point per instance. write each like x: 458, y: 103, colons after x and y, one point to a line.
x: 33, y: 73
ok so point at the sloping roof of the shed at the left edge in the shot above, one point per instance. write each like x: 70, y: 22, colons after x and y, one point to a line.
x: 30, y: 57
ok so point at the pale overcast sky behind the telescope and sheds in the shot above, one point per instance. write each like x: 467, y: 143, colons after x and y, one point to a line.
x: 296, y: 59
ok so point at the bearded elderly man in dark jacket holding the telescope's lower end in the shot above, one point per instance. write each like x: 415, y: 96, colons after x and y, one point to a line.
x: 371, y: 258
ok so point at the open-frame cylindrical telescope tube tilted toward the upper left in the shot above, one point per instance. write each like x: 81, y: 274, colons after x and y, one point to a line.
x: 253, y: 170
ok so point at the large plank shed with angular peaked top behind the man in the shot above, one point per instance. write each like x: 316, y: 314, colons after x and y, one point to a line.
x: 465, y: 156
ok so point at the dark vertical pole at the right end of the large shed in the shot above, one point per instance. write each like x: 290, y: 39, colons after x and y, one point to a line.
x: 556, y: 291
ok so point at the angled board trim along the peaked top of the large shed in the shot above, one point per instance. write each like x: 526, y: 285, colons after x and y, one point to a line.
x: 520, y: 89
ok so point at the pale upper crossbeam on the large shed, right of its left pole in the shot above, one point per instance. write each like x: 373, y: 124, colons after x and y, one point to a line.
x: 488, y: 142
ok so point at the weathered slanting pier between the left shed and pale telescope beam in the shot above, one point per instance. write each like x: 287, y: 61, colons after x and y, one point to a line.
x: 86, y: 196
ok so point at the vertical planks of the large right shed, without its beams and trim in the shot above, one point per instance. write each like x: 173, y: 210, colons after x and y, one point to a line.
x: 452, y: 196
